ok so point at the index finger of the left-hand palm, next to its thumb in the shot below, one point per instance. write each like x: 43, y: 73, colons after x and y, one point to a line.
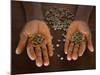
x: 30, y: 51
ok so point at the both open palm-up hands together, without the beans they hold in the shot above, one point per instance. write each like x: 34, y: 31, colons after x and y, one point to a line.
x: 42, y: 53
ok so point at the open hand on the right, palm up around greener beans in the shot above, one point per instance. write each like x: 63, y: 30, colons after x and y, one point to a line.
x: 74, y: 50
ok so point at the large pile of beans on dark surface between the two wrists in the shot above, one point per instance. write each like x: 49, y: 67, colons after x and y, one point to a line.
x: 59, y: 18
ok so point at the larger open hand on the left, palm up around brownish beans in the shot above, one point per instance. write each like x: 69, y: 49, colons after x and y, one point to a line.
x: 36, y: 52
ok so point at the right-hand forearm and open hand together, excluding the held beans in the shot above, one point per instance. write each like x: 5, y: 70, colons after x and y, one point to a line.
x: 72, y: 50
